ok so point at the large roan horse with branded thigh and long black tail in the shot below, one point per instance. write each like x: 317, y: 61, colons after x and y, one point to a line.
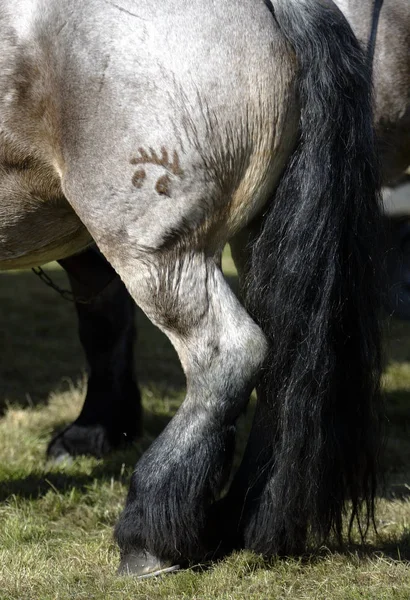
x: 162, y: 132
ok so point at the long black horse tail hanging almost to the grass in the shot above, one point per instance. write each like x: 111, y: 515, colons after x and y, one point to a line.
x: 313, y: 288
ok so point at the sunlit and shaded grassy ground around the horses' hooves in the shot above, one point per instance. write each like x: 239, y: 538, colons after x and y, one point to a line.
x: 56, y: 522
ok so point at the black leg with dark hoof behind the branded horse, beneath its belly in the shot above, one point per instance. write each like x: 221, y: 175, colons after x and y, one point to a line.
x: 111, y: 414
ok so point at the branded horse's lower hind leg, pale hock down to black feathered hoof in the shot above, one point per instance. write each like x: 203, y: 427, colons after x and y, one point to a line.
x: 221, y: 349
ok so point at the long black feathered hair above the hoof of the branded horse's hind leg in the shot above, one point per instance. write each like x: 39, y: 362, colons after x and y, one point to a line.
x: 172, y: 490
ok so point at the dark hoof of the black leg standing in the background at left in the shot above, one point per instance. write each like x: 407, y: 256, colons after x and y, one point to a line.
x: 77, y: 440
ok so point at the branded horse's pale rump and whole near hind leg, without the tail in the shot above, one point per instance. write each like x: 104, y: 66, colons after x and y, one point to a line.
x: 202, y: 133
